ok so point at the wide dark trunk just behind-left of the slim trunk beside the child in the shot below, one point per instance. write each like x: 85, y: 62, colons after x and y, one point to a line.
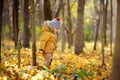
x: 26, y: 38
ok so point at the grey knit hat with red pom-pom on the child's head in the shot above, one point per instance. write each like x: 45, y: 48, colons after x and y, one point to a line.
x: 55, y: 23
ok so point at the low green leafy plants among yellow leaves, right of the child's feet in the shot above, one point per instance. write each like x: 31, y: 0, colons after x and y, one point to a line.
x: 59, y: 71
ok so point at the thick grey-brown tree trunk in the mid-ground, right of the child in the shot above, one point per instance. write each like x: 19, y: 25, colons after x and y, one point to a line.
x: 79, y: 37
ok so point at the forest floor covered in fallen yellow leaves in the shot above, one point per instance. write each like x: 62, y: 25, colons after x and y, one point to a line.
x: 65, y: 66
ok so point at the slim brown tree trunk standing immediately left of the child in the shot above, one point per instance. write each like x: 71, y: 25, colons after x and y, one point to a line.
x: 33, y: 33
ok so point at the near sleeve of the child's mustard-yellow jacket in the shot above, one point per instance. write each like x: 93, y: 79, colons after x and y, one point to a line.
x: 43, y: 40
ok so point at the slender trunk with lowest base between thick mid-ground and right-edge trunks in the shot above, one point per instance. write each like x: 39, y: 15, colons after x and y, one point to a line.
x: 102, y: 30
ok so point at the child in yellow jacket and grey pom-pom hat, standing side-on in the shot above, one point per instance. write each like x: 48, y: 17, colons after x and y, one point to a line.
x: 48, y: 39
